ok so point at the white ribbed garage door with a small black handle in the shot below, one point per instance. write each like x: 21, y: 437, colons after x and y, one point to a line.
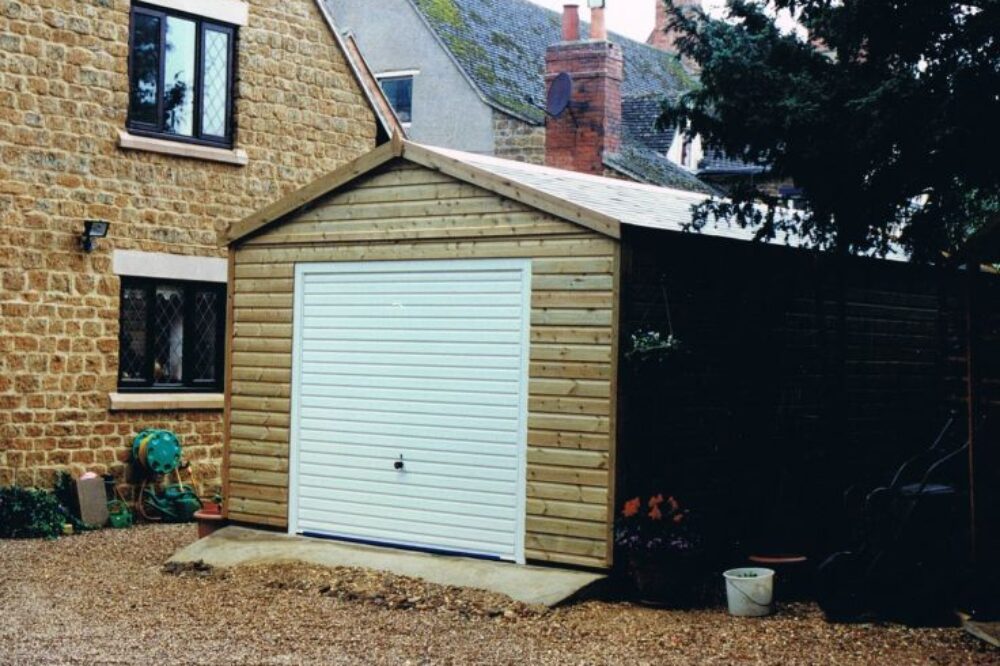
x: 409, y: 403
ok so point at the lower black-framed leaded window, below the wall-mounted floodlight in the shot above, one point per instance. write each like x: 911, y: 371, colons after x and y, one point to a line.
x: 172, y: 335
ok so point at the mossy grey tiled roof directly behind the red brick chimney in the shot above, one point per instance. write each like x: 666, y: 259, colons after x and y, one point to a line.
x: 500, y: 46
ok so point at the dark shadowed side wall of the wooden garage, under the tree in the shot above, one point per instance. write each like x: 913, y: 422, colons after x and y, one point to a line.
x: 783, y: 394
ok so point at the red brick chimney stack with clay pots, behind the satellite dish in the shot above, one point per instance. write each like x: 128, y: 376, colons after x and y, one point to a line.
x: 581, y: 135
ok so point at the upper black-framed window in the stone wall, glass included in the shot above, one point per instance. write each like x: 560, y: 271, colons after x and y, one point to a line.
x: 181, y: 77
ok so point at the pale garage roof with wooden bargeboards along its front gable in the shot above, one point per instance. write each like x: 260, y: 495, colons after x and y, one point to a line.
x: 598, y: 203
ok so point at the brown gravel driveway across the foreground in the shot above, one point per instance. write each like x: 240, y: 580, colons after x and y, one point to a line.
x: 104, y: 598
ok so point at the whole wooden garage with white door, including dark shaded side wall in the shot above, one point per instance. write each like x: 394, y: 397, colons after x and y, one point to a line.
x: 425, y: 353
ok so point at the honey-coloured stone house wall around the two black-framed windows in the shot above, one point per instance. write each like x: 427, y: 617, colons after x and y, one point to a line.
x: 63, y: 101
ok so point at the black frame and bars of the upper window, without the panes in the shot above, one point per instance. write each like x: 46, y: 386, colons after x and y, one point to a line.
x: 155, y: 130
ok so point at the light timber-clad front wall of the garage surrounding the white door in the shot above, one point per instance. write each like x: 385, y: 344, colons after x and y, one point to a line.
x: 405, y: 212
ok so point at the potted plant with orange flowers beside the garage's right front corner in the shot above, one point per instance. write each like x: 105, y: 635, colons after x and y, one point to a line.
x: 663, y: 553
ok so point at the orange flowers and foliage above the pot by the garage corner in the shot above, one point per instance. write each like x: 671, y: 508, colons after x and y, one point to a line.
x: 656, y: 525
